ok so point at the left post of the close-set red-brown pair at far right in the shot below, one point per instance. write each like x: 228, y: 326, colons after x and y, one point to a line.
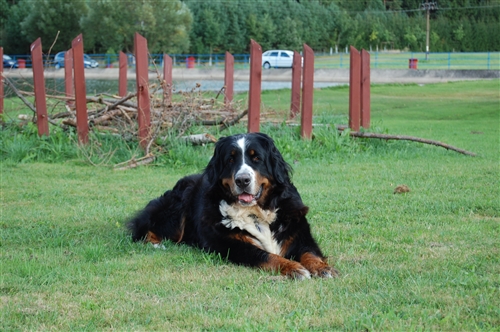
x: 354, y: 89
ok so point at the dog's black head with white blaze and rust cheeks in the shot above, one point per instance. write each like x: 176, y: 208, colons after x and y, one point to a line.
x: 247, y: 166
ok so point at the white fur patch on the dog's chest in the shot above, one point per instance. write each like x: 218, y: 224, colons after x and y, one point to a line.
x: 254, y: 220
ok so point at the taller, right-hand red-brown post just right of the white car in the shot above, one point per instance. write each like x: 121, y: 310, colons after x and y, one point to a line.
x: 307, y: 93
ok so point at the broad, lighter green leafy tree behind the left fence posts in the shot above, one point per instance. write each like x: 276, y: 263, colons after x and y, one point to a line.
x: 112, y: 24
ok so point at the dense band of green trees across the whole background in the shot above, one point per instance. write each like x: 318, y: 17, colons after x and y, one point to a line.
x: 216, y: 26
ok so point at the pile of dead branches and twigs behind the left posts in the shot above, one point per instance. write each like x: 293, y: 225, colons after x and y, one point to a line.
x: 118, y: 115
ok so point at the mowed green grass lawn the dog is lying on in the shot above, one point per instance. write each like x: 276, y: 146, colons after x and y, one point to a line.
x: 424, y: 260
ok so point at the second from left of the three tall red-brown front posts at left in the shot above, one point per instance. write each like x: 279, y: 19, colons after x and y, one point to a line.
x: 82, y: 126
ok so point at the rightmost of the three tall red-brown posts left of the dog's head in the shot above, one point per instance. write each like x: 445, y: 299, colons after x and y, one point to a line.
x: 142, y: 81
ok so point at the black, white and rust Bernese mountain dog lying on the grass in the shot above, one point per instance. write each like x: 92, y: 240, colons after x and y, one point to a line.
x: 243, y: 206
